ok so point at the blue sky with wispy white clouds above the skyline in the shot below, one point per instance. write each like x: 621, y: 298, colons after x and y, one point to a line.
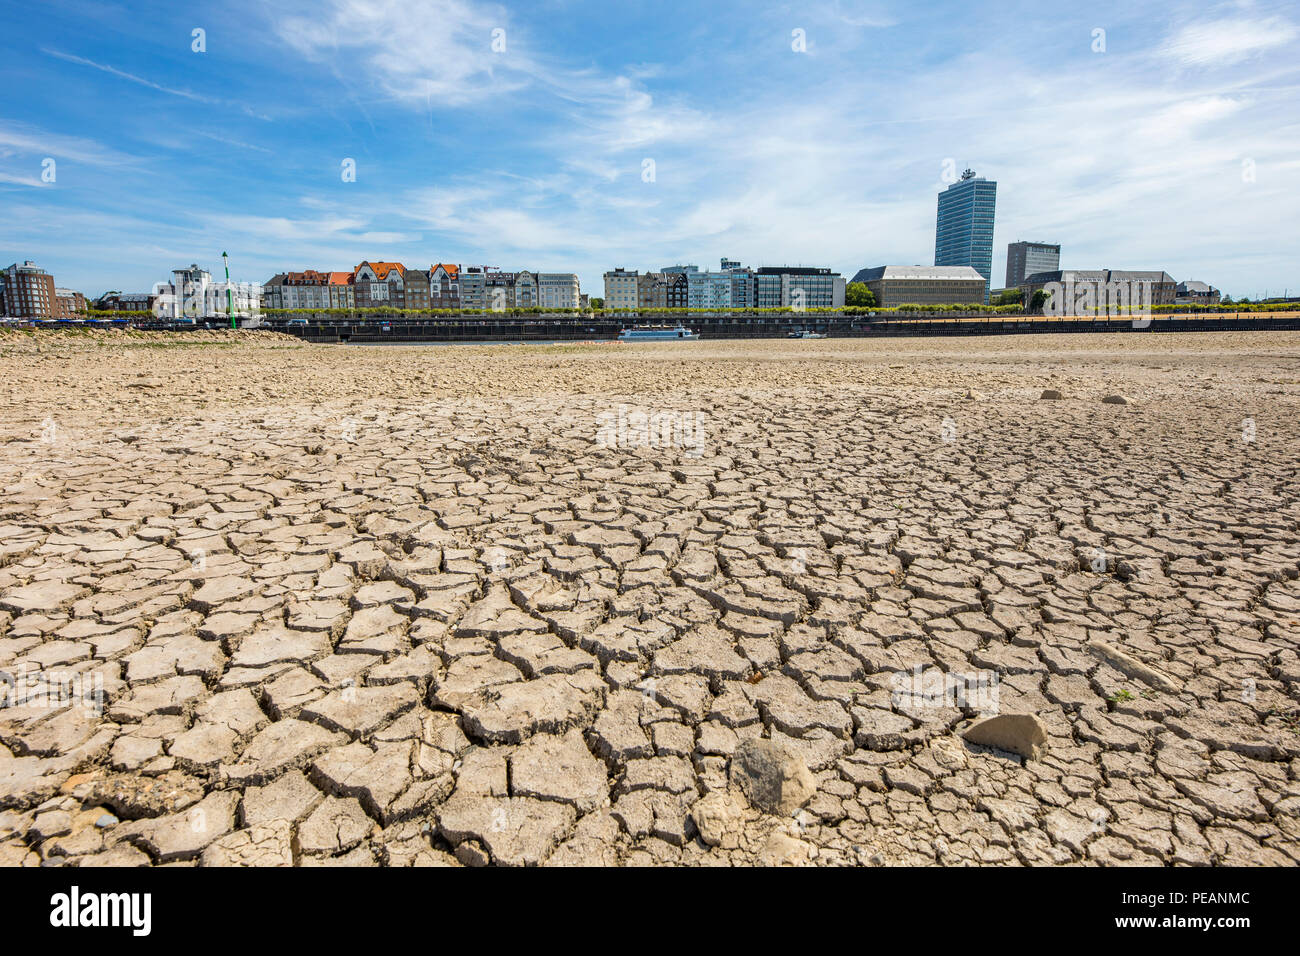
x: 1176, y: 148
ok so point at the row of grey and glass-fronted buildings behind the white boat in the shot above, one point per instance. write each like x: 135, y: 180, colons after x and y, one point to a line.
x: 733, y: 287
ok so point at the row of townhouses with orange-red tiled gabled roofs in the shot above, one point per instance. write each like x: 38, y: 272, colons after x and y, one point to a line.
x: 444, y: 285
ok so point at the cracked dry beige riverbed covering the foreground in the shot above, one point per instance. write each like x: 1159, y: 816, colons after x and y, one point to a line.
x: 267, y: 603
